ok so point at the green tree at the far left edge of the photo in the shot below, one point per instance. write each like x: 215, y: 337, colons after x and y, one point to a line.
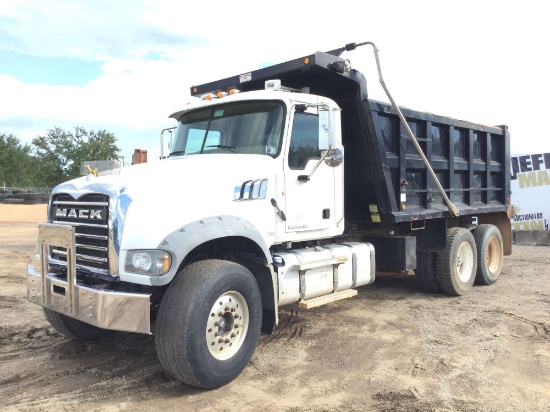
x: 17, y: 165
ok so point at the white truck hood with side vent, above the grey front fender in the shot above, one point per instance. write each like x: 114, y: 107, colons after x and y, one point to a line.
x: 150, y: 201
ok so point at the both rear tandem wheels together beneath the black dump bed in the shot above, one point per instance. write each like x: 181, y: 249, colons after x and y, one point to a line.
x: 468, y: 257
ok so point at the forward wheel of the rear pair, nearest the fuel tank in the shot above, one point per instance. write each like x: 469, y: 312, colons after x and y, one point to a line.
x: 457, y: 263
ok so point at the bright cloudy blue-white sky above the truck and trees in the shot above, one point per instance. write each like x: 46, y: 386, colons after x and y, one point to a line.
x: 125, y: 66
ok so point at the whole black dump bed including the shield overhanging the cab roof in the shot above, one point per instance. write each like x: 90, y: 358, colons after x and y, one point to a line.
x: 385, y: 177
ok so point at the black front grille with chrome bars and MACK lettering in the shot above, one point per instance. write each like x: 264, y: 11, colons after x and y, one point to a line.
x: 89, y: 216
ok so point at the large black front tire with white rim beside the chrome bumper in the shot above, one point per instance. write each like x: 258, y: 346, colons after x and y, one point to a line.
x: 208, y: 323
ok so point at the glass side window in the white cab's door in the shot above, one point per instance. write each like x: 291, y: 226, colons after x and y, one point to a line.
x: 304, y: 141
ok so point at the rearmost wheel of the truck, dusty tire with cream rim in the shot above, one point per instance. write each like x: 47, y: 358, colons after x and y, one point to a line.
x: 490, y: 255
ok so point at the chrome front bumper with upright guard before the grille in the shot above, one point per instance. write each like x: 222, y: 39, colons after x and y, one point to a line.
x: 105, y: 309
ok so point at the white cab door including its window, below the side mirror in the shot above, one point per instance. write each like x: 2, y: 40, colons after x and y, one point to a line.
x: 310, y: 204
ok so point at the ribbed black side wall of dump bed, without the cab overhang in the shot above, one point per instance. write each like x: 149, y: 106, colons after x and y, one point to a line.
x: 387, y: 179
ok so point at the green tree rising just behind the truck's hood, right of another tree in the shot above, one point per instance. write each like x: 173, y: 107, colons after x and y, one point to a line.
x: 61, y: 152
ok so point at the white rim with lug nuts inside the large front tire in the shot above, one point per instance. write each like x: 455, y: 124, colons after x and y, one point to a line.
x: 227, y: 325
